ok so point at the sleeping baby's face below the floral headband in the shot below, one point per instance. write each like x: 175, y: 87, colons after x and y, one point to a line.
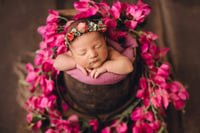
x: 89, y: 50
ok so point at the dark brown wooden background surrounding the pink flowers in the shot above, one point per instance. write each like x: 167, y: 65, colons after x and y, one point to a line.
x: 175, y: 21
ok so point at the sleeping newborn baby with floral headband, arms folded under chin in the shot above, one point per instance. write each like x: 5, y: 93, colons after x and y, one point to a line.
x: 89, y: 52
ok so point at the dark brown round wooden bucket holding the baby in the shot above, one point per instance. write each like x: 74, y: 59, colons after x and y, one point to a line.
x: 100, y: 99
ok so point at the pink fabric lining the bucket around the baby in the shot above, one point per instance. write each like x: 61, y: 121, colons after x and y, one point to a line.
x: 125, y: 49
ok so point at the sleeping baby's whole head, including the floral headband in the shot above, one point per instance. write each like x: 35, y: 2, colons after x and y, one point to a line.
x: 87, y: 43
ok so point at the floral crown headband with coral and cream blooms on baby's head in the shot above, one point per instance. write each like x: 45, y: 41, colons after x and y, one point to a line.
x: 84, y: 27
